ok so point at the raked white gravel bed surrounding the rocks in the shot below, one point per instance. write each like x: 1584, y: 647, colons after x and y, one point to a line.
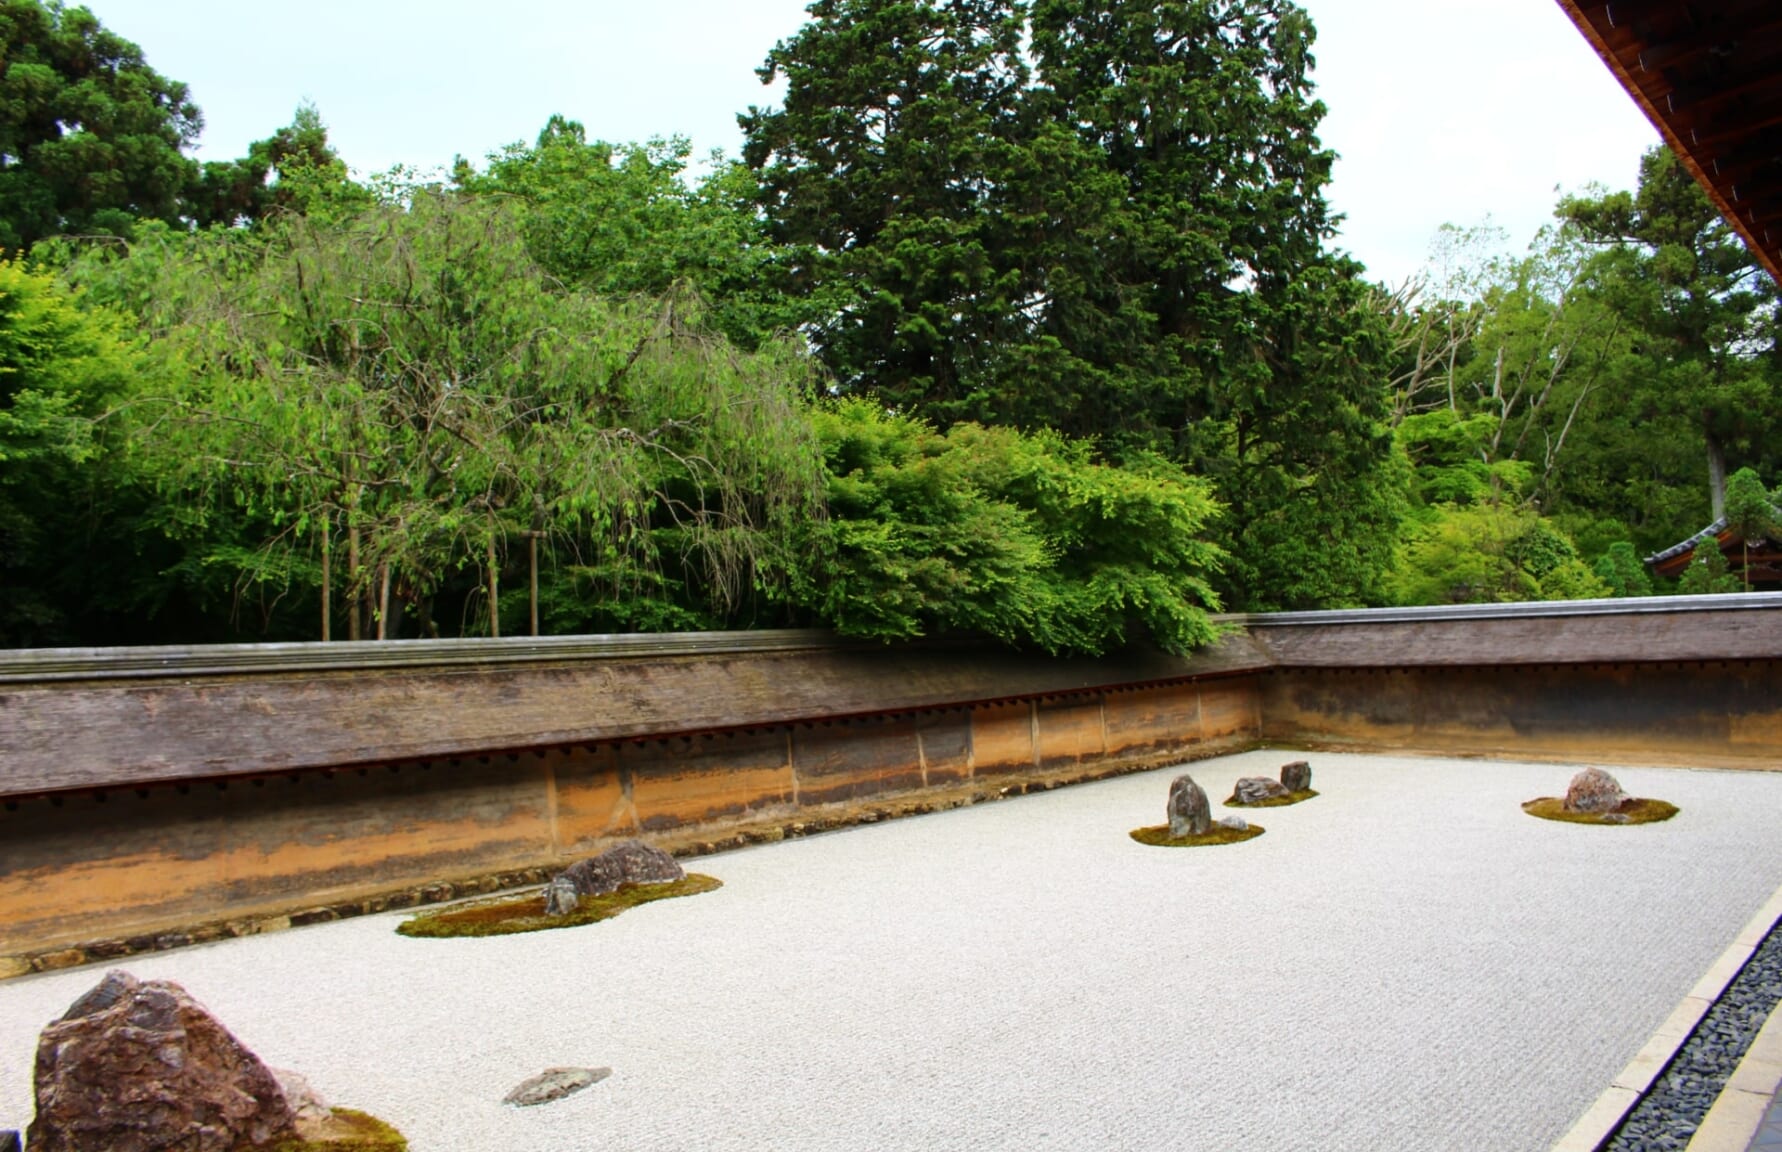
x: 1407, y: 962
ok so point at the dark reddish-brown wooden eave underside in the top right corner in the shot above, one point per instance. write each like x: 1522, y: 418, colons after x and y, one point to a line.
x: 1710, y: 76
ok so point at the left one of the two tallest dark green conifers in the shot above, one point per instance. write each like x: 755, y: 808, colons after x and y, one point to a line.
x: 887, y: 174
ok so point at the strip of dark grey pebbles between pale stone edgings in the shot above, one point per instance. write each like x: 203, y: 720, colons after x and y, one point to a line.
x: 1669, y: 1115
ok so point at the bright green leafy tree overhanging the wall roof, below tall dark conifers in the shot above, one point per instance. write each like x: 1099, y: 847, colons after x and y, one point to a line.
x: 1011, y: 536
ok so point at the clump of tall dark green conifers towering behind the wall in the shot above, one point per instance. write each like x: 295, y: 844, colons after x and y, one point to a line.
x: 1125, y: 245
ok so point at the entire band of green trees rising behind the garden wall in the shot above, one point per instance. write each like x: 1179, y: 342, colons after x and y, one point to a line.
x: 1017, y: 318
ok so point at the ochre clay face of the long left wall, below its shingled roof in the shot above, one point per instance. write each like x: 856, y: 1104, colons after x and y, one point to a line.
x: 117, y: 868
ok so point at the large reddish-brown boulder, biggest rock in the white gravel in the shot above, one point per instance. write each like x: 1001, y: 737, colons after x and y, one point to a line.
x: 142, y: 1067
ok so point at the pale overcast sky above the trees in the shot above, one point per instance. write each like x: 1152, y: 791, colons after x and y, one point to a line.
x: 1441, y: 110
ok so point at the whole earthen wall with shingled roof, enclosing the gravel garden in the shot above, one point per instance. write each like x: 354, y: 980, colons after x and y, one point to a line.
x: 163, y: 796
